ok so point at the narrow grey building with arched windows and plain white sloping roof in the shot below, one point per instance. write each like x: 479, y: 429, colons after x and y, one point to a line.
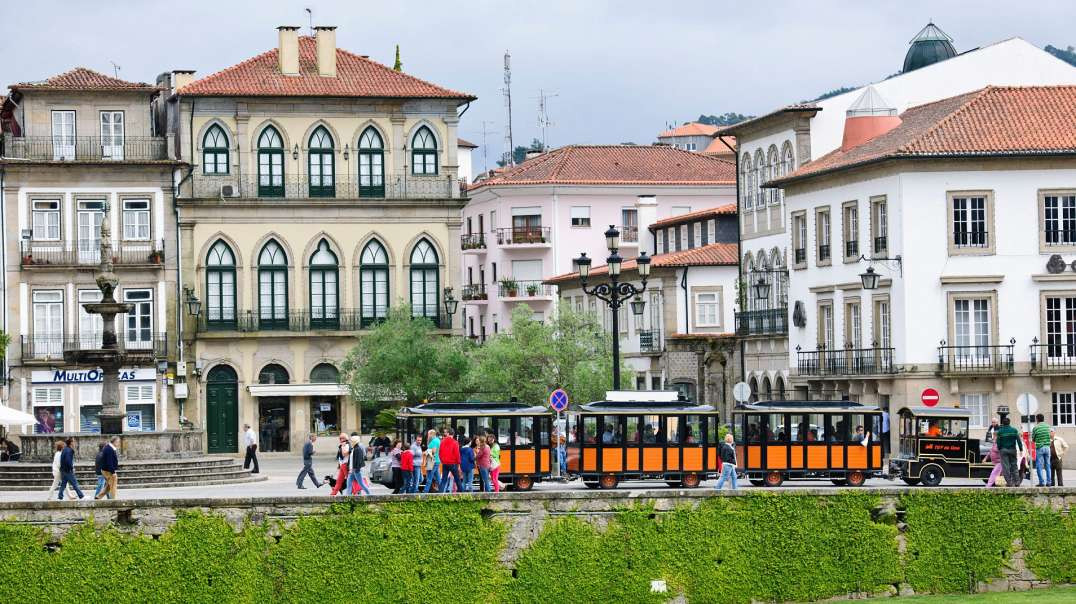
x: 777, y: 144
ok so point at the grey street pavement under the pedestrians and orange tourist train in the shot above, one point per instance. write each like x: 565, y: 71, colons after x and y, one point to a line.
x: 281, y: 470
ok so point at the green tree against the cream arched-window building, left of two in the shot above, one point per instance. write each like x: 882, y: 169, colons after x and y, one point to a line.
x: 404, y: 360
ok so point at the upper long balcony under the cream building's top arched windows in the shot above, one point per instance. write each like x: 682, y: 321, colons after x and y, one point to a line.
x: 230, y: 187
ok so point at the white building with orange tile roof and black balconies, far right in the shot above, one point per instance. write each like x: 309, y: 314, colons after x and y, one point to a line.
x: 972, y: 203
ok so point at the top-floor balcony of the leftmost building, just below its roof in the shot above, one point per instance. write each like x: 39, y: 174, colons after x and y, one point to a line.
x: 84, y: 149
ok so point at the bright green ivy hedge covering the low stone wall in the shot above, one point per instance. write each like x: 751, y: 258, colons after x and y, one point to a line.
x: 762, y: 546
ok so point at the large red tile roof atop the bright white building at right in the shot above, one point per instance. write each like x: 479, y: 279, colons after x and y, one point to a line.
x: 996, y: 121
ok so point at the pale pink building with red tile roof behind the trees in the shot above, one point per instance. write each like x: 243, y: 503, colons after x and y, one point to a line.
x: 526, y: 224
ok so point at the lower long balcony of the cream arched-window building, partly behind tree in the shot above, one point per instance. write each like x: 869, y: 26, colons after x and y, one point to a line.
x: 304, y: 321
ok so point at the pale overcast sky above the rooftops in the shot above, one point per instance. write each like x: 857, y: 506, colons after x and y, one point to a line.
x: 620, y: 69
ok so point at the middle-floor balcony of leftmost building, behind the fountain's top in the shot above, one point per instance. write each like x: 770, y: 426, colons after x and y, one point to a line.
x: 68, y: 254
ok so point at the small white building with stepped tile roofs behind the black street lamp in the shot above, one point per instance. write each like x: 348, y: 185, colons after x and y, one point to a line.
x: 684, y: 340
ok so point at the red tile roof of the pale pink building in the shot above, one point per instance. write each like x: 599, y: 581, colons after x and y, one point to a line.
x: 618, y: 164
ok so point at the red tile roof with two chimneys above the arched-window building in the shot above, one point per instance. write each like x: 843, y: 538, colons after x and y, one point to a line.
x: 357, y: 77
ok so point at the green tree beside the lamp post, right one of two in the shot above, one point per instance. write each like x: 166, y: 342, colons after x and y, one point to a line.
x: 572, y: 352
